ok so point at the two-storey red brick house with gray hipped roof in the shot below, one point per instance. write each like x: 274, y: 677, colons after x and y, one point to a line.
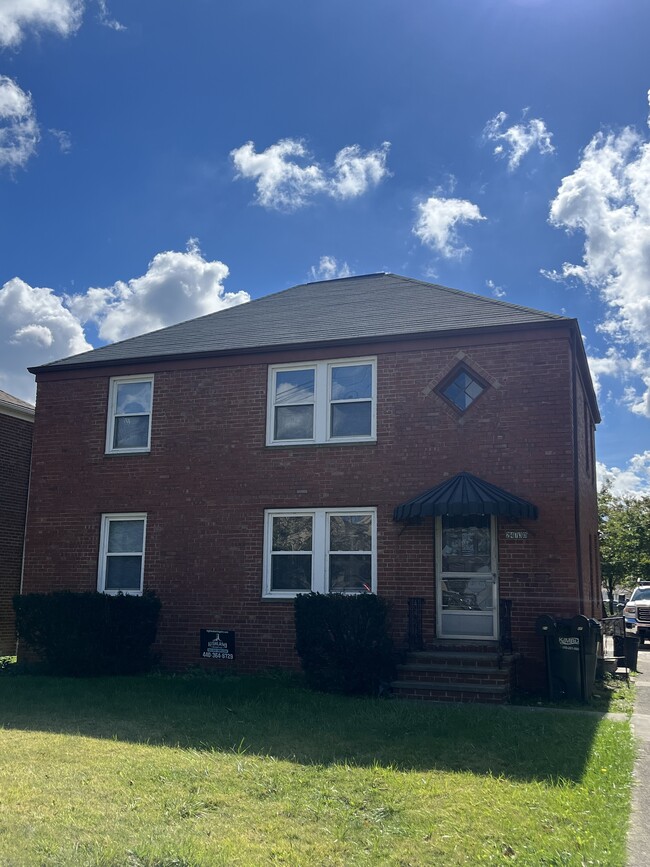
x: 367, y: 433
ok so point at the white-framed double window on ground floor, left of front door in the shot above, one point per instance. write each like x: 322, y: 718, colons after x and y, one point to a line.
x: 320, y: 550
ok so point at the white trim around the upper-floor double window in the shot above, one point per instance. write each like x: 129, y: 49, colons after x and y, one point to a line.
x: 322, y: 402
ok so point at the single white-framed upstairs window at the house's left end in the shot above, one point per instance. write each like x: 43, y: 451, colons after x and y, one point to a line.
x: 130, y: 400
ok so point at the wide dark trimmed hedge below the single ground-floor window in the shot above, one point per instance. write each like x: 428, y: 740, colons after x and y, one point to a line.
x: 87, y: 634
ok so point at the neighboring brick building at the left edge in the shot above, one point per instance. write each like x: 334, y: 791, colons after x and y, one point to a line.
x: 16, y: 426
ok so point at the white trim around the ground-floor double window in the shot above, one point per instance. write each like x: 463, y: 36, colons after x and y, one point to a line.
x: 320, y: 549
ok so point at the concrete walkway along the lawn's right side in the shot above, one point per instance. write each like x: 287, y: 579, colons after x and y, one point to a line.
x: 638, y: 846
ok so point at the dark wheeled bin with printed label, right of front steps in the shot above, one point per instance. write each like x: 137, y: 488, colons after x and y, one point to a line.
x: 571, y: 646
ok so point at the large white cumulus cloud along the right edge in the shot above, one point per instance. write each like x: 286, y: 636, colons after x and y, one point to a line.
x: 607, y: 198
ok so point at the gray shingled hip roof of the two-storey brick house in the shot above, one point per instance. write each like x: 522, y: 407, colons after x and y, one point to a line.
x: 329, y: 311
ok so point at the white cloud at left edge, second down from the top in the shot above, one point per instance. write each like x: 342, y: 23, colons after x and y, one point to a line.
x: 19, y: 133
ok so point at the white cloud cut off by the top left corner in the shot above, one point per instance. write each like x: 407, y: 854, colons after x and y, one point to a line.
x: 18, y: 17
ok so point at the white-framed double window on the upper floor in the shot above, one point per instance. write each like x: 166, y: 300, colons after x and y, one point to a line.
x: 322, y: 401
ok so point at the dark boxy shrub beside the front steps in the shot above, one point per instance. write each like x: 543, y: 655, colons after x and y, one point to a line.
x: 343, y: 642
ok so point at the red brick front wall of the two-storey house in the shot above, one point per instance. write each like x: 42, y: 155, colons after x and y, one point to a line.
x: 209, y: 477
